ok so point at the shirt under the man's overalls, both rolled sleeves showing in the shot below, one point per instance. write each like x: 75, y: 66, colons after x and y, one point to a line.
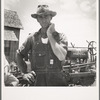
x: 29, y: 42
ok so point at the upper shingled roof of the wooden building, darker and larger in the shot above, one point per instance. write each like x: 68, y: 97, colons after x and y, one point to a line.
x: 11, y: 19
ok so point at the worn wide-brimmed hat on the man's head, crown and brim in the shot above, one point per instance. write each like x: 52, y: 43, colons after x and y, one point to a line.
x: 43, y: 10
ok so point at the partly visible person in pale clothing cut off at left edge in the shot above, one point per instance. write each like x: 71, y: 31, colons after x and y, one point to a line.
x: 9, y: 79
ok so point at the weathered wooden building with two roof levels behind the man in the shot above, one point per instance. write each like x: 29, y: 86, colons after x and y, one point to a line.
x: 12, y: 26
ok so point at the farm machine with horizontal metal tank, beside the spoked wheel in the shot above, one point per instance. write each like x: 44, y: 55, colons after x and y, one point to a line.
x: 78, y: 68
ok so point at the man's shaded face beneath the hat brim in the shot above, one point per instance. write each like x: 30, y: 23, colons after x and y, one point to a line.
x: 44, y: 20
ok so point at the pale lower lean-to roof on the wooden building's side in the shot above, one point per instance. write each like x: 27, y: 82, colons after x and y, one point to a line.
x: 10, y: 35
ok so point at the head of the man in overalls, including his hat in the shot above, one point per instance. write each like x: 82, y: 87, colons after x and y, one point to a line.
x: 44, y: 15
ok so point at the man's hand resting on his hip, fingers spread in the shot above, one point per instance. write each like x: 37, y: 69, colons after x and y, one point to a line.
x: 30, y: 77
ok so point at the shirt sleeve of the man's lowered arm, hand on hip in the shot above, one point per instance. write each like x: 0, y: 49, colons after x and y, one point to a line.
x: 26, y: 46
